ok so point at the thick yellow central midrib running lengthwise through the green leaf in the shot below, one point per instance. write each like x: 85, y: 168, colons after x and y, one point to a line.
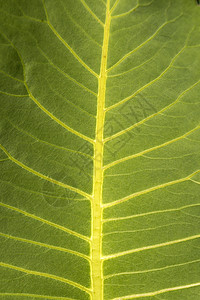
x: 96, y: 244
